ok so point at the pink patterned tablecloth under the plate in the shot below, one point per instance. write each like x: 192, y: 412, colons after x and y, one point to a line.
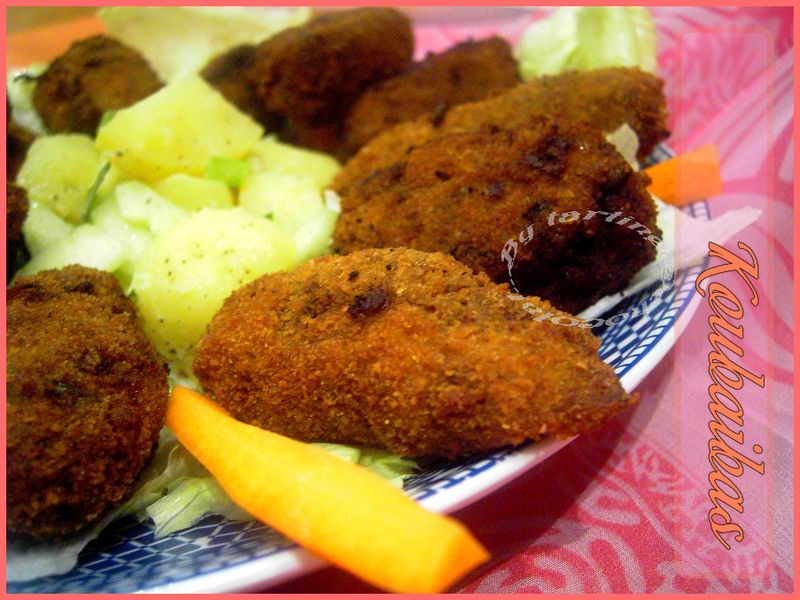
x: 626, y: 508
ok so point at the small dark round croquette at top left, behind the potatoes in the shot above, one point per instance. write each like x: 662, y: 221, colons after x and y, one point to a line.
x: 94, y: 75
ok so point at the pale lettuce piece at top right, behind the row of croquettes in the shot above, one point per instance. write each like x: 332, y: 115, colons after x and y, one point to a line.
x: 589, y: 37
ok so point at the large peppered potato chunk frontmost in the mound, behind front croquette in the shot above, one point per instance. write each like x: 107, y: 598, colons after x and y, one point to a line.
x: 187, y: 272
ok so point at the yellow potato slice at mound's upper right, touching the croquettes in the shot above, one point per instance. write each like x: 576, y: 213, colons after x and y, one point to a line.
x: 276, y: 157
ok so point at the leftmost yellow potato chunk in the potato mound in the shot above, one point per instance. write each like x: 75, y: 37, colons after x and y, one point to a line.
x: 58, y: 172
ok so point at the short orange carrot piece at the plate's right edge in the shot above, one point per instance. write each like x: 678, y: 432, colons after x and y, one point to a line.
x: 688, y: 177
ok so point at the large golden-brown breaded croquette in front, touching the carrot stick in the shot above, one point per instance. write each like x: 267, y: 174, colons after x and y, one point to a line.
x: 403, y: 350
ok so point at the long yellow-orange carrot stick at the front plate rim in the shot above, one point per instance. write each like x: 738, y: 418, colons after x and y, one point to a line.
x: 335, y: 509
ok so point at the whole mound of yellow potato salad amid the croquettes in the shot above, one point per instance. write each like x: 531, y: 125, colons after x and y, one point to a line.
x: 184, y: 199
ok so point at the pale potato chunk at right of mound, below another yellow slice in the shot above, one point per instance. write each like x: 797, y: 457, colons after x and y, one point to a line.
x: 296, y: 204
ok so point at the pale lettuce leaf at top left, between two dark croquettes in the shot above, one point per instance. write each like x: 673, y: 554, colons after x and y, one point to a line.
x: 179, y: 40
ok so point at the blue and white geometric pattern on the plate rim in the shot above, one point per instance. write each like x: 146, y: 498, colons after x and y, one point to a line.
x: 126, y: 558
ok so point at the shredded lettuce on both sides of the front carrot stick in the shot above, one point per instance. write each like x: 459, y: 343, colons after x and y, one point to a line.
x: 176, y: 491
